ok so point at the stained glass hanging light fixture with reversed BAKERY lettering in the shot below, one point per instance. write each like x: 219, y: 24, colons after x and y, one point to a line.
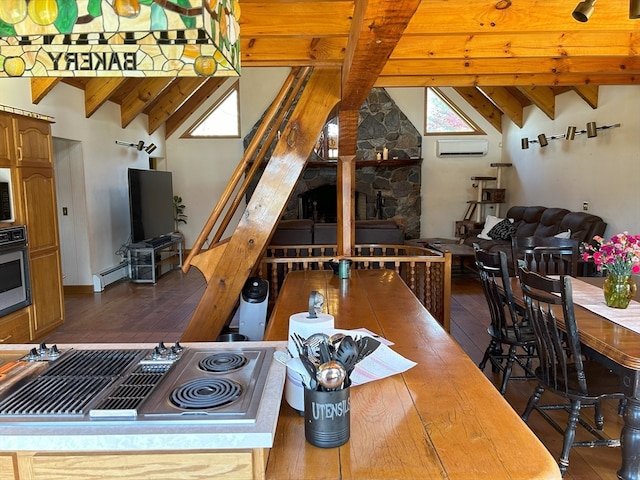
x: 111, y: 38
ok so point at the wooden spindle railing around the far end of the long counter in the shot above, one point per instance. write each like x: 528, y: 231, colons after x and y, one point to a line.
x: 427, y: 273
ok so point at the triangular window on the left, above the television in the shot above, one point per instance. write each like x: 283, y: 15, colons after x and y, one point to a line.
x: 221, y: 120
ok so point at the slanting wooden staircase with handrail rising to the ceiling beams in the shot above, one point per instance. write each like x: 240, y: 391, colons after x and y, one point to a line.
x: 228, y: 263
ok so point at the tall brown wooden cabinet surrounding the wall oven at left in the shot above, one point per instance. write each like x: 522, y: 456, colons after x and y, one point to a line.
x: 25, y: 147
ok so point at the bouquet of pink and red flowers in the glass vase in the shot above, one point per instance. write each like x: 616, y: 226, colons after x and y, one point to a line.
x: 619, y: 256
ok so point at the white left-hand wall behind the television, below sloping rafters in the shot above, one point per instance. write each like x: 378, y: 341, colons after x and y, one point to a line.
x: 105, y: 163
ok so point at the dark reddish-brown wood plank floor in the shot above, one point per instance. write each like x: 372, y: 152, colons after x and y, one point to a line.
x: 128, y: 312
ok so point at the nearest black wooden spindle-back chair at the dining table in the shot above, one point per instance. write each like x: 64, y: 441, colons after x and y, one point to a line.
x: 578, y: 381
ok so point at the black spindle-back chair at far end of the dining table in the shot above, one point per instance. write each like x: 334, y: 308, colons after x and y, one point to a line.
x: 546, y: 255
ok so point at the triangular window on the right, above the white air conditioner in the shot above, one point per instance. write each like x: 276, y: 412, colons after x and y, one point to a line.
x: 444, y: 118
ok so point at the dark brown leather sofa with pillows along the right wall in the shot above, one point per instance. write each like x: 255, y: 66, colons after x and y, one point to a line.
x: 543, y: 222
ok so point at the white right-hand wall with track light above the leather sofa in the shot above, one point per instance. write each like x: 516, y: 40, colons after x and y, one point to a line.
x: 604, y: 171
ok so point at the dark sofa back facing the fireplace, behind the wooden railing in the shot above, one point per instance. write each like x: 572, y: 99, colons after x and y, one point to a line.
x: 306, y: 232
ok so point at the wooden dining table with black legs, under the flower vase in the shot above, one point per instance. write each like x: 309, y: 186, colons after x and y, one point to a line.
x: 621, y: 346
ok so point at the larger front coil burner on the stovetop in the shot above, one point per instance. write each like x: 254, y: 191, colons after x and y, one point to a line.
x: 206, y: 393
